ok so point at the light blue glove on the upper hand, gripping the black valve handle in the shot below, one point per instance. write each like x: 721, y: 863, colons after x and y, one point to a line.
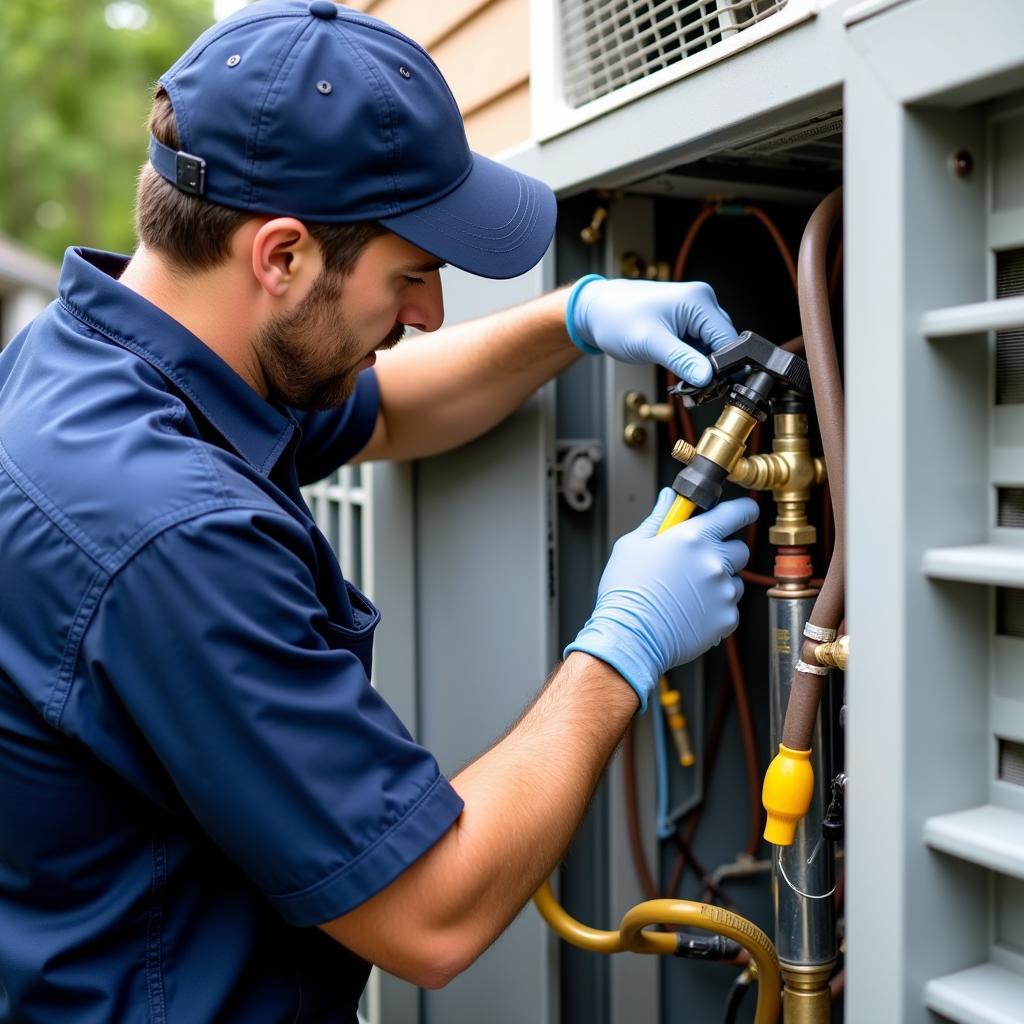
x: 650, y: 322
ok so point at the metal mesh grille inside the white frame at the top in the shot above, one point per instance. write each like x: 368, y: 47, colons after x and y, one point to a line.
x: 609, y: 44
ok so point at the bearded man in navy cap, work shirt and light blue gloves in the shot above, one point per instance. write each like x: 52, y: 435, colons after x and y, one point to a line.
x: 207, y: 814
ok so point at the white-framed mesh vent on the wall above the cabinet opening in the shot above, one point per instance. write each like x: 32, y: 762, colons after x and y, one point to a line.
x: 589, y: 57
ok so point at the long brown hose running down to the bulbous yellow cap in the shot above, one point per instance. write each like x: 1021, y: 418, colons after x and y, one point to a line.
x: 820, y: 346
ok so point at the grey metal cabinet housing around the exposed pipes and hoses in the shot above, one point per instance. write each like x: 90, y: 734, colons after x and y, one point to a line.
x: 935, y: 826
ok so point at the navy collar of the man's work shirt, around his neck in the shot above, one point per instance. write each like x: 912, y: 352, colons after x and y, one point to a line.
x: 91, y: 291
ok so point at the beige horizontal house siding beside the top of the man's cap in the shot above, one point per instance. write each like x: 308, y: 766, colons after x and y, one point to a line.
x: 483, y: 49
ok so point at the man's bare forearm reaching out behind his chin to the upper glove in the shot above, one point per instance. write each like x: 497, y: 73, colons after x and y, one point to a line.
x: 442, y: 391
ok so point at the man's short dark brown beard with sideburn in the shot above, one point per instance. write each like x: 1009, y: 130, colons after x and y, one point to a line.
x: 309, y: 357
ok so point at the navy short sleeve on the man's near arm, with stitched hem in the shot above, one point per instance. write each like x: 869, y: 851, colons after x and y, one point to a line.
x: 260, y: 709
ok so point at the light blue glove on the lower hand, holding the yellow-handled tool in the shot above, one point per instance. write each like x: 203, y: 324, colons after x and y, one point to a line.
x: 666, y: 599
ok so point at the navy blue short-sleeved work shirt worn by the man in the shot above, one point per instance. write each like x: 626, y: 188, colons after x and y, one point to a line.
x: 194, y: 769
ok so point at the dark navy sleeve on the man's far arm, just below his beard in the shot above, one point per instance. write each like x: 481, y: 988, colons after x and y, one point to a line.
x: 332, y: 438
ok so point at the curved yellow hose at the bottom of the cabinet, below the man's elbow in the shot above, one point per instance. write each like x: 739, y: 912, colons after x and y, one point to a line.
x: 632, y: 937
